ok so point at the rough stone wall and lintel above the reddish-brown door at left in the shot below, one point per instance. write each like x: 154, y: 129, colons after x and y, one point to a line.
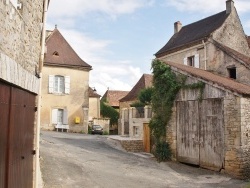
x: 20, y: 36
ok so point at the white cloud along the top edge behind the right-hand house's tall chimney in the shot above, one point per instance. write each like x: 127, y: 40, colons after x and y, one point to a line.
x: 207, y: 6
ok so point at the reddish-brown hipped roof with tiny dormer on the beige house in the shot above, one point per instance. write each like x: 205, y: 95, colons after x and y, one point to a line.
x: 60, y: 53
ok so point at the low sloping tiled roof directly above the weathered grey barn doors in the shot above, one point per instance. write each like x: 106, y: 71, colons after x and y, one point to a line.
x: 224, y: 82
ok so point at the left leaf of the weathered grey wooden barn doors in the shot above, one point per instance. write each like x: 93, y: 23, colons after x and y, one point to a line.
x: 188, y: 132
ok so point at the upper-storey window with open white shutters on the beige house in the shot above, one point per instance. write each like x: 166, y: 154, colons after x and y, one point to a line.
x: 59, y: 84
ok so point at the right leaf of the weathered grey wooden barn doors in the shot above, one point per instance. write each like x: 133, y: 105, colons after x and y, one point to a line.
x: 211, y: 134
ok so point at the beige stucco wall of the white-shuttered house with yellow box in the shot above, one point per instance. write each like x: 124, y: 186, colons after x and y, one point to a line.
x: 73, y: 102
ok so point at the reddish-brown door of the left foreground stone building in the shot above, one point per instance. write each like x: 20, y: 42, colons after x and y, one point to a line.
x: 17, y: 114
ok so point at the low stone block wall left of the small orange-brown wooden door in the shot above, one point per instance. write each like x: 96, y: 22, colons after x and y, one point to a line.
x: 132, y: 145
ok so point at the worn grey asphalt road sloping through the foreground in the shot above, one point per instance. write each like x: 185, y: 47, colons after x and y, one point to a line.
x: 91, y: 161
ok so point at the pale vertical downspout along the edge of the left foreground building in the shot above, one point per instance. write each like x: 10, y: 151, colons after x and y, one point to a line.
x: 45, y: 9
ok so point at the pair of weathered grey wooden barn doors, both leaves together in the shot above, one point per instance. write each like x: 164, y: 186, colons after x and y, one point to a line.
x: 200, y: 133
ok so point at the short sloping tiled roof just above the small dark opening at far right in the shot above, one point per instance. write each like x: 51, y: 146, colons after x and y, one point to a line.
x: 235, y: 54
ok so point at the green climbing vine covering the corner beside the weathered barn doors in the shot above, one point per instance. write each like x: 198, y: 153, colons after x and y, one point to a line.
x: 166, y: 87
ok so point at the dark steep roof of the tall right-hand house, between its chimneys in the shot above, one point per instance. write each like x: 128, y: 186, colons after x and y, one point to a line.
x: 194, y: 32
